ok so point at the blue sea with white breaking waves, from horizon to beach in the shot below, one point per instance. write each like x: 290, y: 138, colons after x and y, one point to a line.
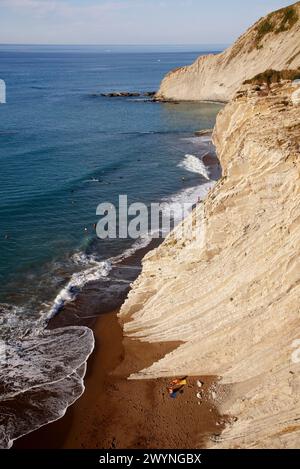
x: 64, y: 149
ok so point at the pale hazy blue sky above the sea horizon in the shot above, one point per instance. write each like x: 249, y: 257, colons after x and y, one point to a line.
x: 129, y: 21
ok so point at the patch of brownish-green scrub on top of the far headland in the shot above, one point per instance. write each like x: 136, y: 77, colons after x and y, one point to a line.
x: 277, y: 22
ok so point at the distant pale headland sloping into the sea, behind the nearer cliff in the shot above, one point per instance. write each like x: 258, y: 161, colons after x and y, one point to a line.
x: 272, y: 43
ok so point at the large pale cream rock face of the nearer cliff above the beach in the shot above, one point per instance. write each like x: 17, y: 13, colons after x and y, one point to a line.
x: 232, y: 295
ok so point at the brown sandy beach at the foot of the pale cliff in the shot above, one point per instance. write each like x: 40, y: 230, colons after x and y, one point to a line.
x: 115, y: 412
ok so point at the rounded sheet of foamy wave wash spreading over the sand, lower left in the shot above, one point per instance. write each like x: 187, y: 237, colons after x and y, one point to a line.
x: 45, y: 375
